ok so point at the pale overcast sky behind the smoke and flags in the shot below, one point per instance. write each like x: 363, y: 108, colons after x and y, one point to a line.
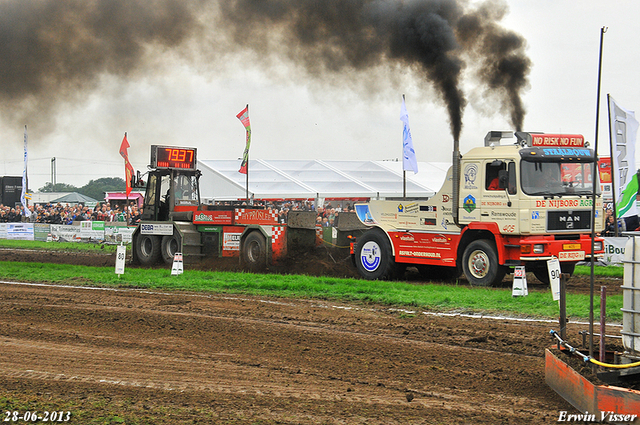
x: 181, y: 93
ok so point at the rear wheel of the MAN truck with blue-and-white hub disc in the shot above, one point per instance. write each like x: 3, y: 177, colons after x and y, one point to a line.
x: 373, y: 256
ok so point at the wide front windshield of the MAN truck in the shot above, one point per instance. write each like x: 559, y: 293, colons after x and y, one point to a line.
x: 557, y: 178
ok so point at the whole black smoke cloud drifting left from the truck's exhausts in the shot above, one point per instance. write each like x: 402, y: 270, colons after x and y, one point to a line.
x: 53, y: 51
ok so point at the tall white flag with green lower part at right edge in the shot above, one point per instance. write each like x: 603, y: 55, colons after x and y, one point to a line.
x: 623, y: 128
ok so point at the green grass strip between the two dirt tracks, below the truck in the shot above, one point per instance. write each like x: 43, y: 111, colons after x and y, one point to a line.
x: 437, y: 297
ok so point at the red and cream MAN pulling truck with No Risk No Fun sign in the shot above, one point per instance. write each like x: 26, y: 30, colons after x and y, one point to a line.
x: 501, y: 206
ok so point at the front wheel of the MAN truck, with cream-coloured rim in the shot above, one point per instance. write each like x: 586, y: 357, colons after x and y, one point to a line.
x: 480, y: 263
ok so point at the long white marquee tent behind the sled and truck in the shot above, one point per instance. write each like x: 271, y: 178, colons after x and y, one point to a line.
x: 311, y: 179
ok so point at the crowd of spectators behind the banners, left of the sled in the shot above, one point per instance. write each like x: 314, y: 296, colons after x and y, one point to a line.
x: 68, y: 214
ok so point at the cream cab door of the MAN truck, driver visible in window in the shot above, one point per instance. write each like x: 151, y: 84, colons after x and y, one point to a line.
x: 499, y: 198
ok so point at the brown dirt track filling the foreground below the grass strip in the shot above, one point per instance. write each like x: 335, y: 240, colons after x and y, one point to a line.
x: 176, y: 358
